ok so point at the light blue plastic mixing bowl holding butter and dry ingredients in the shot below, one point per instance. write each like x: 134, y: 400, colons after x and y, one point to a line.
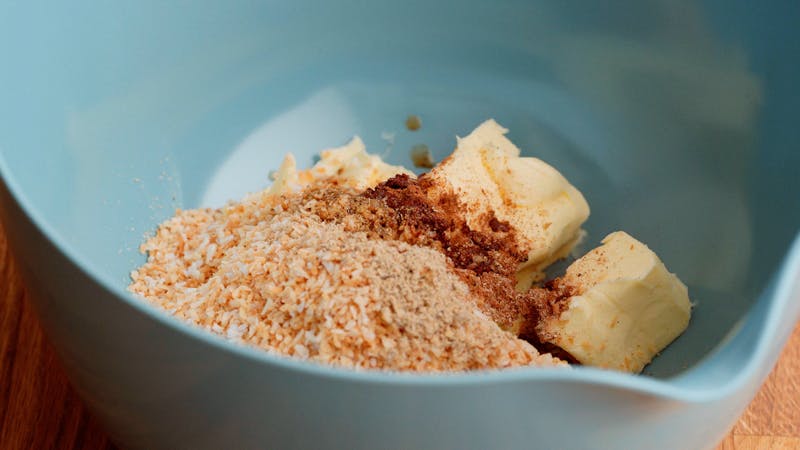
x: 676, y: 119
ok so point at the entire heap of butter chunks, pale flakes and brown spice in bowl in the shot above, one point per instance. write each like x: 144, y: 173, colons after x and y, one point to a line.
x: 359, y: 264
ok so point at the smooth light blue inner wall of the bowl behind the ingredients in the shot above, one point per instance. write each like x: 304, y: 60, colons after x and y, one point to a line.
x: 672, y: 118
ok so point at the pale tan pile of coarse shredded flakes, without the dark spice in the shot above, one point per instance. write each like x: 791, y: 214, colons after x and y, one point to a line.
x: 271, y: 274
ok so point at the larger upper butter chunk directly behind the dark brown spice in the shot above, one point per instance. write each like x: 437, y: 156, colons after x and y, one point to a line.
x: 489, y: 176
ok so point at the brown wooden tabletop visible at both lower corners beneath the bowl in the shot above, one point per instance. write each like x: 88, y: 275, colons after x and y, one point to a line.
x: 39, y: 409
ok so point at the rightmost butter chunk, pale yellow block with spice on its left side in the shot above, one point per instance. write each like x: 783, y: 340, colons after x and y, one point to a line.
x: 626, y: 307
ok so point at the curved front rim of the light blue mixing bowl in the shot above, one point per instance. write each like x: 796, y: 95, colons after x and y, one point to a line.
x: 787, y: 286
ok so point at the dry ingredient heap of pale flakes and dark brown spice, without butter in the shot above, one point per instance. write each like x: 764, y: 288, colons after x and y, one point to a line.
x: 378, y: 279
